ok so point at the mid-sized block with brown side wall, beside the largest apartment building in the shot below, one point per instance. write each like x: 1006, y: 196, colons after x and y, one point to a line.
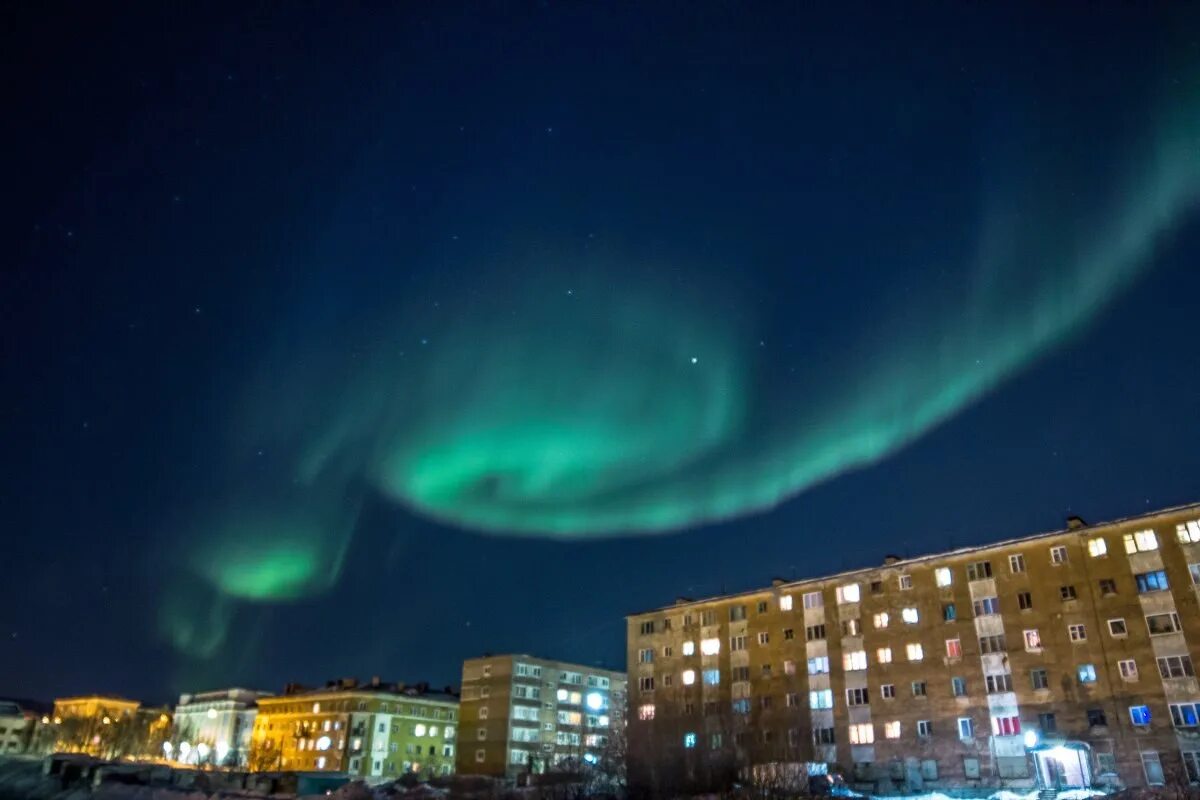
x: 523, y: 714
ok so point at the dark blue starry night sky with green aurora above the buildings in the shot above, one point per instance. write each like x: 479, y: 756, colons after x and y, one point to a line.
x: 351, y: 341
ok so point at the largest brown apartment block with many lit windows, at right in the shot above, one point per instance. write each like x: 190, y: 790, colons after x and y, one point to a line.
x: 1059, y: 659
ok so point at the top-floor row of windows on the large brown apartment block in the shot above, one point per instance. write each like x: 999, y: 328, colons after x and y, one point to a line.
x: 1137, y: 543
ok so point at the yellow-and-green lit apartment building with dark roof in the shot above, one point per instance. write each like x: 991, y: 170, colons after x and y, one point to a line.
x: 375, y: 731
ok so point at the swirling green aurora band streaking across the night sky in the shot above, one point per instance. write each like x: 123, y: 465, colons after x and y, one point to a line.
x: 632, y: 410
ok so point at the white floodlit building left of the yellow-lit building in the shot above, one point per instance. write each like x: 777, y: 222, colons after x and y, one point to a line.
x: 214, y: 727
